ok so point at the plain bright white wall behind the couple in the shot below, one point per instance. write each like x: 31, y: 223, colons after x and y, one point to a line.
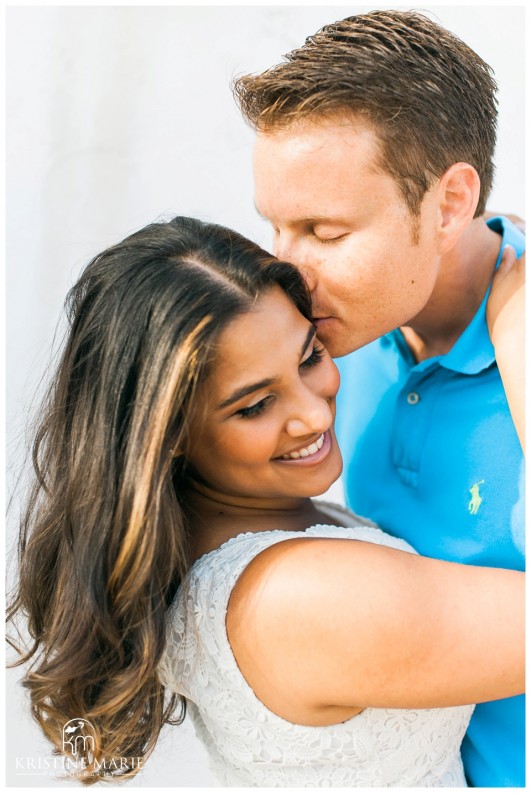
x: 120, y: 115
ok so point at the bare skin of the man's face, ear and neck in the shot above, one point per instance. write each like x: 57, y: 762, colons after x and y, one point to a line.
x: 344, y: 223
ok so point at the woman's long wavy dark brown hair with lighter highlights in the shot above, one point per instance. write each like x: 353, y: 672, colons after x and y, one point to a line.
x: 103, y: 542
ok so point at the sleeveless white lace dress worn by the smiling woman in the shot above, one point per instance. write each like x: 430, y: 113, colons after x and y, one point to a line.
x: 248, y: 745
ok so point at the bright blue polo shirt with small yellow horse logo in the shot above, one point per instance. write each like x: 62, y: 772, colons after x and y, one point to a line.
x: 431, y: 455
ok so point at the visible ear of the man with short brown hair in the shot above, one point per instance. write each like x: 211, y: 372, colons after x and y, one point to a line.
x: 458, y: 193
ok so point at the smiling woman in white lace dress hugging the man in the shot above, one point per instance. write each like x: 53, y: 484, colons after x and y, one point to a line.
x: 170, y: 543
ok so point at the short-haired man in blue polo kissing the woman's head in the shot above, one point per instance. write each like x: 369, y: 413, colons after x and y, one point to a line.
x: 373, y: 163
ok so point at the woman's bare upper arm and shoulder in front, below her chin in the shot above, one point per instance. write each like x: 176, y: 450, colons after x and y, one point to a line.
x: 323, y: 628
